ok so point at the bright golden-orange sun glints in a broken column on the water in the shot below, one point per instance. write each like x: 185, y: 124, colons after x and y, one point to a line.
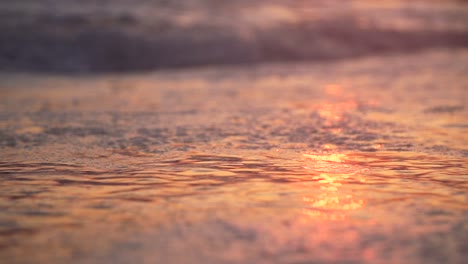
x: 331, y: 169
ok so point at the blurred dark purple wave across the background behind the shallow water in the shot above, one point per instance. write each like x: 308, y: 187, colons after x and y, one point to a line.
x: 132, y: 35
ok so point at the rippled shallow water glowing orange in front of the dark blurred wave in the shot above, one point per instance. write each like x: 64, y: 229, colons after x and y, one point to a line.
x: 352, y: 162
